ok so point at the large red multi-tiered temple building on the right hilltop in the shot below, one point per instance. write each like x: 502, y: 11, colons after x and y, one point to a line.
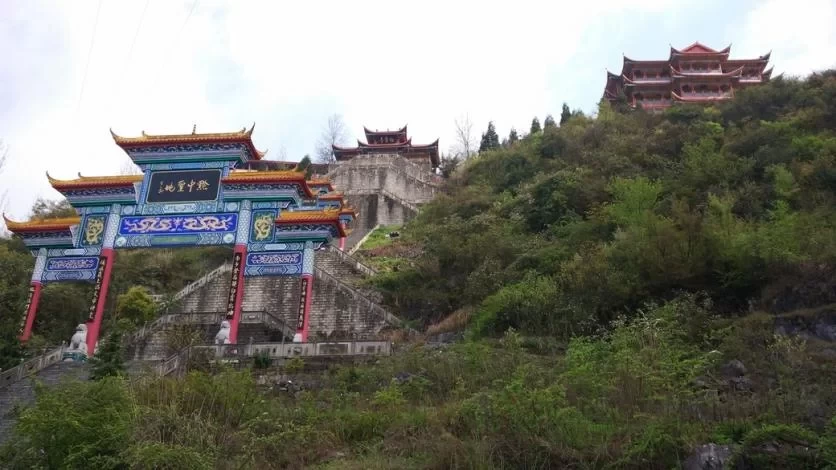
x: 696, y: 74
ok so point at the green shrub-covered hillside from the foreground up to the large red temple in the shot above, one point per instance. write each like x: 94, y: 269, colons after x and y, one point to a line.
x: 611, y: 266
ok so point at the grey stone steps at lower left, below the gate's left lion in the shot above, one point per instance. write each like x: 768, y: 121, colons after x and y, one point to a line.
x: 22, y: 392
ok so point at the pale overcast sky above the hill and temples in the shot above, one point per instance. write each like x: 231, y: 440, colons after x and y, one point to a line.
x: 71, y: 70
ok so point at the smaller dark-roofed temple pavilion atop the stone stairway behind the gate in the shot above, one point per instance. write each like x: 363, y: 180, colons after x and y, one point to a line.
x: 391, y: 142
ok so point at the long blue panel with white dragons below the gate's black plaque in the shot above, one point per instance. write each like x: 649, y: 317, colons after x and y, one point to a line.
x: 137, y: 225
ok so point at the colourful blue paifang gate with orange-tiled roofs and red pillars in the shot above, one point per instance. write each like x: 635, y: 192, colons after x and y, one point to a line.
x: 191, y: 193
